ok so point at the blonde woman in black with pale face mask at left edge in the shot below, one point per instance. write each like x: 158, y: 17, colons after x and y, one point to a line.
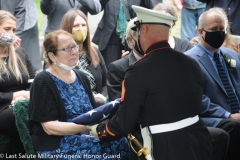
x: 15, y: 74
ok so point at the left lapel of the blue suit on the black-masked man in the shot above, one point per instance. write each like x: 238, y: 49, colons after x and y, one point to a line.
x: 207, y: 64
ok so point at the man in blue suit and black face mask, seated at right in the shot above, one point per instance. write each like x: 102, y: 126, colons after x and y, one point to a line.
x: 221, y: 79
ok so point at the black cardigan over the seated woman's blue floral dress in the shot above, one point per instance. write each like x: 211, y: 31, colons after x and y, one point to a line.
x: 46, y: 105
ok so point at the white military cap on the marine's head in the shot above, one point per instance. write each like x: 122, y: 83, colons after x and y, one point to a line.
x: 150, y: 16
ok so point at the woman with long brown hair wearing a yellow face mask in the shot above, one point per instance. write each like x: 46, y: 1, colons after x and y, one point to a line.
x: 90, y: 59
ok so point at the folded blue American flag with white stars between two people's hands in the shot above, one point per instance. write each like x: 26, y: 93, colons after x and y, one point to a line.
x: 99, y: 114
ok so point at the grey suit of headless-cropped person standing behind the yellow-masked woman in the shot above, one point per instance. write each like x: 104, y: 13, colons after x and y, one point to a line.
x: 55, y: 9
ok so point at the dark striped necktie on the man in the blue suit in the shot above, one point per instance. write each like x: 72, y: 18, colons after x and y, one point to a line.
x: 231, y: 95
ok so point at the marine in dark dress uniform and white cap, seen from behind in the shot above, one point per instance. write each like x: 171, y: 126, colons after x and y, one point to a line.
x: 163, y: 91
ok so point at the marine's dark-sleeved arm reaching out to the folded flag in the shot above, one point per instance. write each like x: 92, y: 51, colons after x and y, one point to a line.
x: 129, y: 111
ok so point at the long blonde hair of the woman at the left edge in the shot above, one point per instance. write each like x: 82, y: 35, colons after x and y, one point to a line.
x: 14, y: 61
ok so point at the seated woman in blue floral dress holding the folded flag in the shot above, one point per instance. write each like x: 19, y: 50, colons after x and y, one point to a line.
x: 60, y: 94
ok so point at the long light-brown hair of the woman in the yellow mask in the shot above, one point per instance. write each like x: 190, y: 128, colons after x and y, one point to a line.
x: 67, y: 25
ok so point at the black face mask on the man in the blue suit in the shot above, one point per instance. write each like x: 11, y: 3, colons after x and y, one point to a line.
x: 215, y: 39
